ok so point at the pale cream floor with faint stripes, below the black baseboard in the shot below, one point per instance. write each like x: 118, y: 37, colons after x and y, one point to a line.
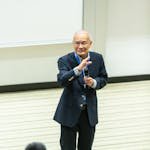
x: 123, y: 108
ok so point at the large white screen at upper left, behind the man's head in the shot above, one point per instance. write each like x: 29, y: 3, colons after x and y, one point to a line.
x: 30, y: 22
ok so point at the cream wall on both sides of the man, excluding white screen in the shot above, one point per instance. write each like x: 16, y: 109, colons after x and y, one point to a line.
x: 120, y: 30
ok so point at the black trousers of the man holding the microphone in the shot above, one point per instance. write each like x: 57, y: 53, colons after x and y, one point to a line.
x: 85, y: 134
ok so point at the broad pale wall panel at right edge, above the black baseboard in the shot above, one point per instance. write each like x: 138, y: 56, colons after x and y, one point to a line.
x: 128, y: 37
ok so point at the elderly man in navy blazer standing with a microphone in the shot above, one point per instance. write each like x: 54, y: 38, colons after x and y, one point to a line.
x: 81, y: 73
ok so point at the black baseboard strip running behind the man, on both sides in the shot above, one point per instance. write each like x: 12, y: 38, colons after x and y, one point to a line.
x: 49, y: 85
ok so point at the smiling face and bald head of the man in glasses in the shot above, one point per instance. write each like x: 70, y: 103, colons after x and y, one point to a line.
x: 82, y: 43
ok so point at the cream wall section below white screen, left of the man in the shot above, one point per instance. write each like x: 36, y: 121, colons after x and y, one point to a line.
x: 32, y: 64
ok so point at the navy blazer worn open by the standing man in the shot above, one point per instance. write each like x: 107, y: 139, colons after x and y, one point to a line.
x: 68, y: 109
